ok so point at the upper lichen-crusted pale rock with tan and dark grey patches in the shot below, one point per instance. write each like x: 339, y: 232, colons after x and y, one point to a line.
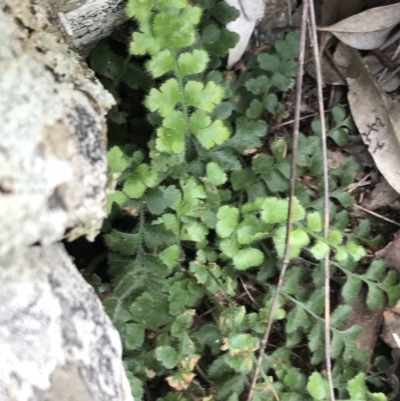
x: 52, y: 155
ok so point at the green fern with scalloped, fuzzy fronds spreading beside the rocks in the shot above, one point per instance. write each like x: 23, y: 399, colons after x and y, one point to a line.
x: 197, y: 219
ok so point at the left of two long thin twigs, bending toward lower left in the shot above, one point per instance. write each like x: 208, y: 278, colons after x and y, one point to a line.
x: 285, y: 263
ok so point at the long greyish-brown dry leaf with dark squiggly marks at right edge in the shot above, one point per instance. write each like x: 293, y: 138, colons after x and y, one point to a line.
x: 377, y: 117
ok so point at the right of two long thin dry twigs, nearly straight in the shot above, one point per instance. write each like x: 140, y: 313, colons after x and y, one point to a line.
x: 317, y: 62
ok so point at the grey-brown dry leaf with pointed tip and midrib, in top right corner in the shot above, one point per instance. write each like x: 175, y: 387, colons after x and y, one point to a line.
x: 367, y: 30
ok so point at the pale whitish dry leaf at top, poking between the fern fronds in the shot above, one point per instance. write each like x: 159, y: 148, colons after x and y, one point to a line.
x: 250, y: 12
